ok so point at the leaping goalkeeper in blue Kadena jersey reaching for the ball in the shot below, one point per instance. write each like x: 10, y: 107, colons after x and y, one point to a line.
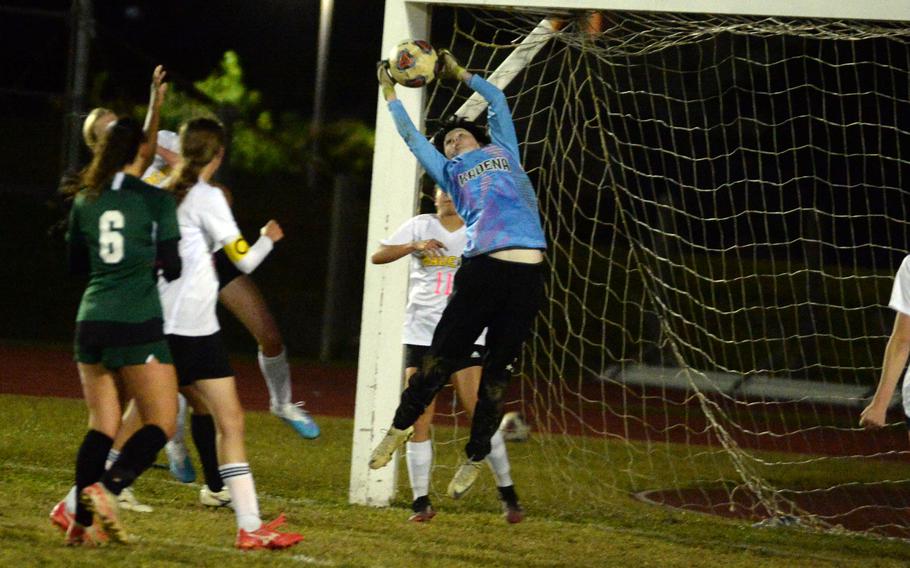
x: 500, y: 282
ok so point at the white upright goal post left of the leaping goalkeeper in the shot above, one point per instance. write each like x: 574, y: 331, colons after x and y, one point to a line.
x: 392, y: 199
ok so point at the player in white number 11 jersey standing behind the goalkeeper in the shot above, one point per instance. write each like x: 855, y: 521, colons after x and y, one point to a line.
x: 434, y: 244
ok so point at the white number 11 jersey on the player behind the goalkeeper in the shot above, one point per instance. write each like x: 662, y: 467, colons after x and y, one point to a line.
x: 431, y: 277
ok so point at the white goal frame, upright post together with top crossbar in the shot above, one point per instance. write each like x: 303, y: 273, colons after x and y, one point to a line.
x: 395, y: 190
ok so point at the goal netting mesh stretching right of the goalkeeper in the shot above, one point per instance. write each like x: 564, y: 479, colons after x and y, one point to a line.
x: 725, y: 206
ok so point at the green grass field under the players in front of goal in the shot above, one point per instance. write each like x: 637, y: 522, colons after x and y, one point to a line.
x: 308, y: 481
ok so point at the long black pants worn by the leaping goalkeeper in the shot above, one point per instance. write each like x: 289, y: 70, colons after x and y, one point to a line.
x: 502, y: 296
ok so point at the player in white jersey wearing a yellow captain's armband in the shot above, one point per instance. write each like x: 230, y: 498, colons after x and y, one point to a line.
x: 191, y: 324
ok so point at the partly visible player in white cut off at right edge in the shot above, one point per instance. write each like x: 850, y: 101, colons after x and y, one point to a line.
x: 896, y: 353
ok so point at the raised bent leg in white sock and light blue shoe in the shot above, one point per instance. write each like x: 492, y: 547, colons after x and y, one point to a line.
x: 242, y: 297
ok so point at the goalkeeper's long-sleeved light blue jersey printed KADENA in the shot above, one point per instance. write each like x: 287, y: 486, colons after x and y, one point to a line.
x: 488, y: 186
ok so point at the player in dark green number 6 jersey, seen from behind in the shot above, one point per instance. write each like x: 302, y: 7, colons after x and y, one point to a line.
x: 122, y: 232
